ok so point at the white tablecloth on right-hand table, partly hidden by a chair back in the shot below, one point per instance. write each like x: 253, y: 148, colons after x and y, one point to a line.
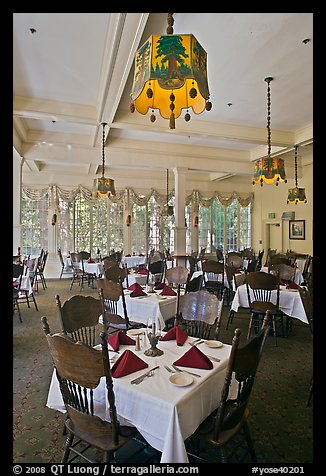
x: 290, y: 302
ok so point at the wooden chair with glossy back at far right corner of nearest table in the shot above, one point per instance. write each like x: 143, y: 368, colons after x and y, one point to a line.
x: 201, y: 313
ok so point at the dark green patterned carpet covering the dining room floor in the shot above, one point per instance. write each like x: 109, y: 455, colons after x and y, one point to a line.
x: 281, y: 423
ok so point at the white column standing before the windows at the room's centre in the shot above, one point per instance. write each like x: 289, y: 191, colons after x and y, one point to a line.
x: 180, y: 203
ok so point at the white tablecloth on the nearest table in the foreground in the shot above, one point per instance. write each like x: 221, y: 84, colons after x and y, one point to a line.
x: 163, y: 413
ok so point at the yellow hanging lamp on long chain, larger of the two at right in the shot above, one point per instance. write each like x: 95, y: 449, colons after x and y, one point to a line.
x: 269, y: 169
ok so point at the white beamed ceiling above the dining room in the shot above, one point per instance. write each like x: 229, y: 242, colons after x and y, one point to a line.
x: 75, y: 71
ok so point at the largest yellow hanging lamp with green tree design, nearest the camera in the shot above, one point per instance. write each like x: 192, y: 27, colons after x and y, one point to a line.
x: 170, y: 75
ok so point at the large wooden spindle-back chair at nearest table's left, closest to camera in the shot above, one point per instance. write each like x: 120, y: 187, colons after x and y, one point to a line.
x: 79, y: 370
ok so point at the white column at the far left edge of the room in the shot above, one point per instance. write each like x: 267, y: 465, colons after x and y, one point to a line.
x: 16, y: 200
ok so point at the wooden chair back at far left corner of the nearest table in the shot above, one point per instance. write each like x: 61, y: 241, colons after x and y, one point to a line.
x: 79, y: 317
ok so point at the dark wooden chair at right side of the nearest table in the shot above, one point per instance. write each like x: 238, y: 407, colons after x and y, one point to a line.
x: 226, y: 429
